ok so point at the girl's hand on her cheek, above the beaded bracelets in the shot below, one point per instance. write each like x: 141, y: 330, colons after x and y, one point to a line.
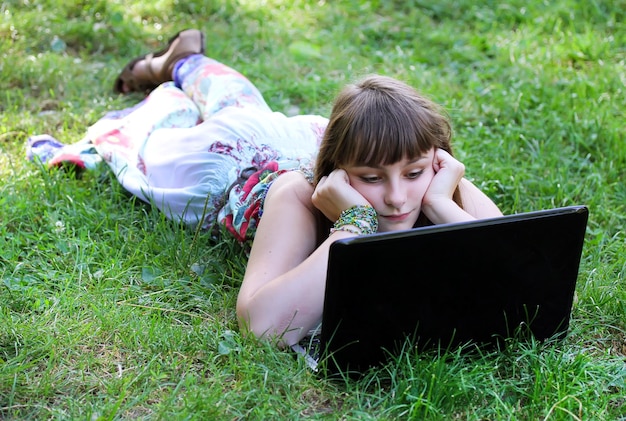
x: 334, y: 194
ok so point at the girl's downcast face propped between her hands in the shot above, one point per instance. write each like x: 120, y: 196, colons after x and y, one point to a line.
x: 396, y: 190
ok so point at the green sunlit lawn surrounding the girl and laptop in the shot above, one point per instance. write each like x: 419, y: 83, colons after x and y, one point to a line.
x: 110, y: 311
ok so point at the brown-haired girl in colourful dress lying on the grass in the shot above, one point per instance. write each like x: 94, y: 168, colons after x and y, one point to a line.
x: 205, y: 148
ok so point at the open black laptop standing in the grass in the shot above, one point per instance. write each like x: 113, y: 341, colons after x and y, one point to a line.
x: 451, y: 285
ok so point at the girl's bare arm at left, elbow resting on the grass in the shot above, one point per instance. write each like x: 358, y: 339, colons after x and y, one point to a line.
x: 282, y: 293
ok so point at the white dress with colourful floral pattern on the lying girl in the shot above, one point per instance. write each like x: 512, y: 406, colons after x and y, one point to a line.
x: 184, y: 150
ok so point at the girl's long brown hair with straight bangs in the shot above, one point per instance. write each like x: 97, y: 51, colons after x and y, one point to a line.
x: 381, y: 120
